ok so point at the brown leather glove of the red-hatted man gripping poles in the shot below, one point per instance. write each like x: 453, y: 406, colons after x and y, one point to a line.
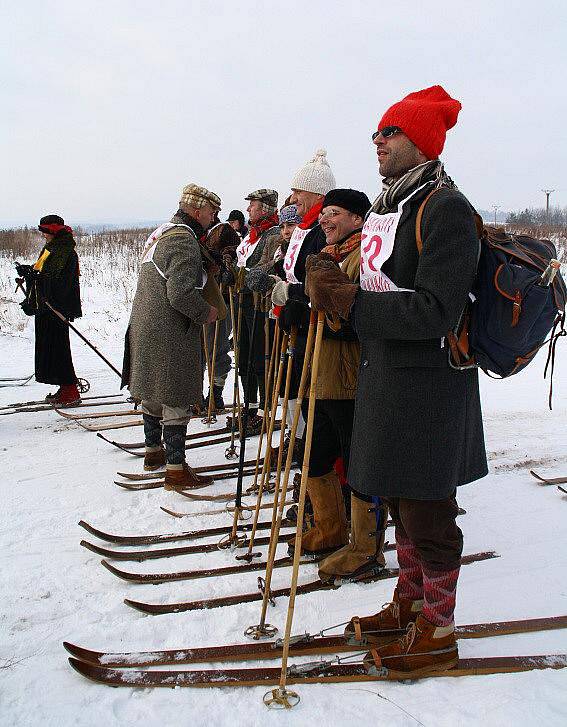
x: 329, y: 289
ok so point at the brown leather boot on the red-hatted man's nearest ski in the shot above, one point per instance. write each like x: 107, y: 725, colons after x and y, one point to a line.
x: 424, y: 649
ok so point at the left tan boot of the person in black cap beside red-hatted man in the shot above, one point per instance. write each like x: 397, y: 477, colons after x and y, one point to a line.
x: 330, y: 524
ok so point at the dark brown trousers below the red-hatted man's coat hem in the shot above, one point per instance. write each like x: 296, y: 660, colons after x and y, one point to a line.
x: 431, y: 526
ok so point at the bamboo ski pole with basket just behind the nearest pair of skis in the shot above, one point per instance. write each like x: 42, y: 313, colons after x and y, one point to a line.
x: 262, y: 629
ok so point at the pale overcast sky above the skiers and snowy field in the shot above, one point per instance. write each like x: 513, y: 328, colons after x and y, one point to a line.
x: 109, y: 108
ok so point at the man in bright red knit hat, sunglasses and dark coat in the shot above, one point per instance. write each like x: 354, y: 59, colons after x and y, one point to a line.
x: 418, y: 431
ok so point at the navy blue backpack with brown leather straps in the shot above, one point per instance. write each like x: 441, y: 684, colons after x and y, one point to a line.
x: 508, y: 317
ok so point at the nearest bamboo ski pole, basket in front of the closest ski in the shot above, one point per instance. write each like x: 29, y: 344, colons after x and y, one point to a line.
x: 281, y: 697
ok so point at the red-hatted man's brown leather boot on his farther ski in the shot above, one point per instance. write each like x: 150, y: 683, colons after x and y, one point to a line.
x: 387, y: 623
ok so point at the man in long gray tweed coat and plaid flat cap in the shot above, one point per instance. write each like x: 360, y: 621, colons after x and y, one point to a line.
x: 163, y: 361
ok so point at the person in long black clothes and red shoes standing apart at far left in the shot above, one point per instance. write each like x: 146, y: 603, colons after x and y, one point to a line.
x: 55, y: 278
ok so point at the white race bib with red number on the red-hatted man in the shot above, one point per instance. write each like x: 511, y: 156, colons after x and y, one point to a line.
x: 376, y: 246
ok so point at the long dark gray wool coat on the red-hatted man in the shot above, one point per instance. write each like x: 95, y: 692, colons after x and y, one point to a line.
x: 418, y: 430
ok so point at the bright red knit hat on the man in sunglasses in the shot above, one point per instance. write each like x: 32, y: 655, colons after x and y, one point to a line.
x: 424, y: 117
